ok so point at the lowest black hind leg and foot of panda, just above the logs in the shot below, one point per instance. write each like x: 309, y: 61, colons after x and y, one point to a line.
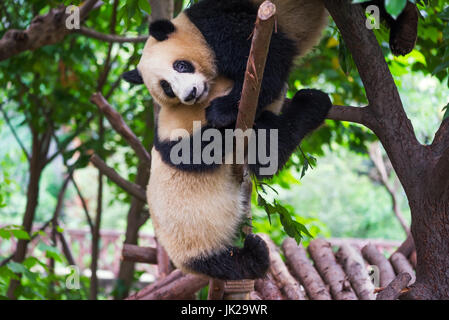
x: 250, y: 262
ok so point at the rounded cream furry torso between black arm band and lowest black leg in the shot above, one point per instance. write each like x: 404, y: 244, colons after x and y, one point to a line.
x: 193, y: 214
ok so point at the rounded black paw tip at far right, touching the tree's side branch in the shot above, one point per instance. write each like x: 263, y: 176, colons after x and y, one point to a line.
x: 311, y: 102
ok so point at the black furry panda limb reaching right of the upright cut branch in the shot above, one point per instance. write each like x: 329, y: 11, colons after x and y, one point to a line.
x: 300, y: 116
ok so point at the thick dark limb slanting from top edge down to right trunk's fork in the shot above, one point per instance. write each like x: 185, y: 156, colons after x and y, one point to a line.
x: 391, y: 124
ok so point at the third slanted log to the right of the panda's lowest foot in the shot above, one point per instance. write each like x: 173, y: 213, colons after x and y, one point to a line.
x: 321, y: 252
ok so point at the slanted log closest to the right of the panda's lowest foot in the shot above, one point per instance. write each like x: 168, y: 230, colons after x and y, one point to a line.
x: 288, y: 285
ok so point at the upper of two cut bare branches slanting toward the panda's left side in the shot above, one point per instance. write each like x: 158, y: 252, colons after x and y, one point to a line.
x: 119, y: 125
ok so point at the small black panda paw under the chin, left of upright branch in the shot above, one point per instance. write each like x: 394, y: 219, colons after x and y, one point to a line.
x: 221, y: 113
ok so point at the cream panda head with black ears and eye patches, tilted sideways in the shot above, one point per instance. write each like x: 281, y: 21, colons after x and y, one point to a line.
x: 177, y: 66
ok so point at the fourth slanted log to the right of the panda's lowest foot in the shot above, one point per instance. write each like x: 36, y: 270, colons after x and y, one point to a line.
x: 353, y: 264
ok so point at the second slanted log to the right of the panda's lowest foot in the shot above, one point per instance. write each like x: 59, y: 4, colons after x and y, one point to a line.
x: 303, y: 270
